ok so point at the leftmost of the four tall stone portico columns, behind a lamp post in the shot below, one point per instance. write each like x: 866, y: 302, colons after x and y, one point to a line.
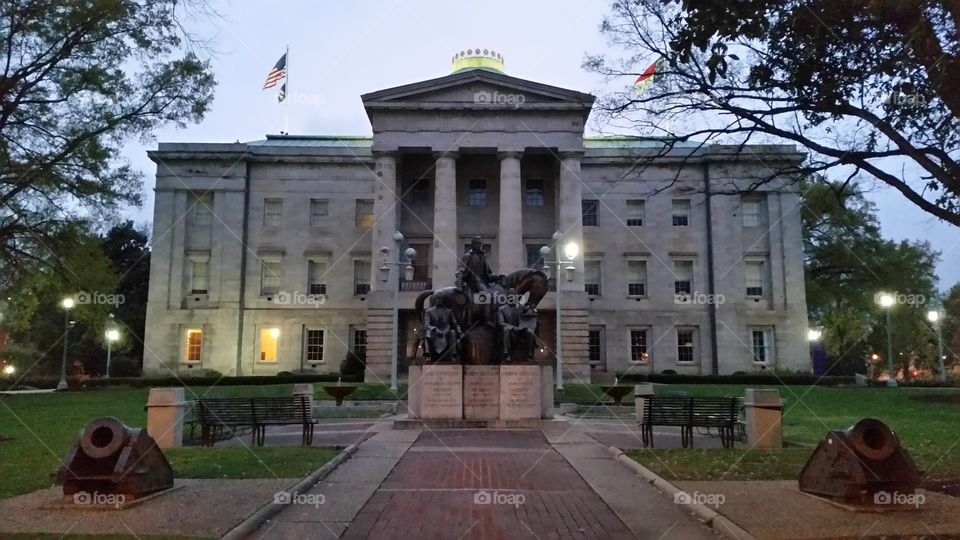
x: 385, y: 193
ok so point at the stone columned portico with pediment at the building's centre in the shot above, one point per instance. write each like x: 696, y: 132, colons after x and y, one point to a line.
x: 460, y: 174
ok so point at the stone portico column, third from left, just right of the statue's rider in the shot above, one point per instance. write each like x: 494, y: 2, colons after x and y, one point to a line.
x: 510, y: 255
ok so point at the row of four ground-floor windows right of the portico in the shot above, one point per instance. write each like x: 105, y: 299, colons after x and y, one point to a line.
x: 686, y: 340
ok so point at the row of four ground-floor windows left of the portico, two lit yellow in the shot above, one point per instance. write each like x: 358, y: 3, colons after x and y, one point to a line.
x: 268, y: 344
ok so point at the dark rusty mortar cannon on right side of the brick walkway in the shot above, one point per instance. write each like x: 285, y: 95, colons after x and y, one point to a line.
x: 860, y: 465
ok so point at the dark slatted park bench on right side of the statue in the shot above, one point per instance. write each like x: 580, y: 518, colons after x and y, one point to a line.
x: 688, y: 413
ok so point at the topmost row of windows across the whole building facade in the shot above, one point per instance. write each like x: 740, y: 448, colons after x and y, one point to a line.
x: 751, y: 207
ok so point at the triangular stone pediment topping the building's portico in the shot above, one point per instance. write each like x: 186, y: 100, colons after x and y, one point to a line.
x: 477, y: 87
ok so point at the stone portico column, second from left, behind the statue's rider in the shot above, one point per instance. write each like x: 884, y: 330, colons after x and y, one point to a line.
x: 446, y: 248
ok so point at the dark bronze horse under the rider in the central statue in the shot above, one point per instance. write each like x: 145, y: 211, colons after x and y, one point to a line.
x: 475, y: 319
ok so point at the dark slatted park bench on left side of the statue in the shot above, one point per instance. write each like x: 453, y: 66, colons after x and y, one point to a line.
x: 255, y: 413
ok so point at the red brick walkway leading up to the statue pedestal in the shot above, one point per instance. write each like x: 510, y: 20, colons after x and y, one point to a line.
x: 485, y: 485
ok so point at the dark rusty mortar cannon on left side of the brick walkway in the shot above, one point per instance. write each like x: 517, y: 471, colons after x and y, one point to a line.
x: 110, y: 458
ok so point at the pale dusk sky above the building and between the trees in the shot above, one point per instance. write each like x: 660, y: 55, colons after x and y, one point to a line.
x: 340, y: 50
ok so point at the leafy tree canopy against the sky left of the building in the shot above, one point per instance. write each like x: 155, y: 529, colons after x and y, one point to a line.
x: 78, y: 80
